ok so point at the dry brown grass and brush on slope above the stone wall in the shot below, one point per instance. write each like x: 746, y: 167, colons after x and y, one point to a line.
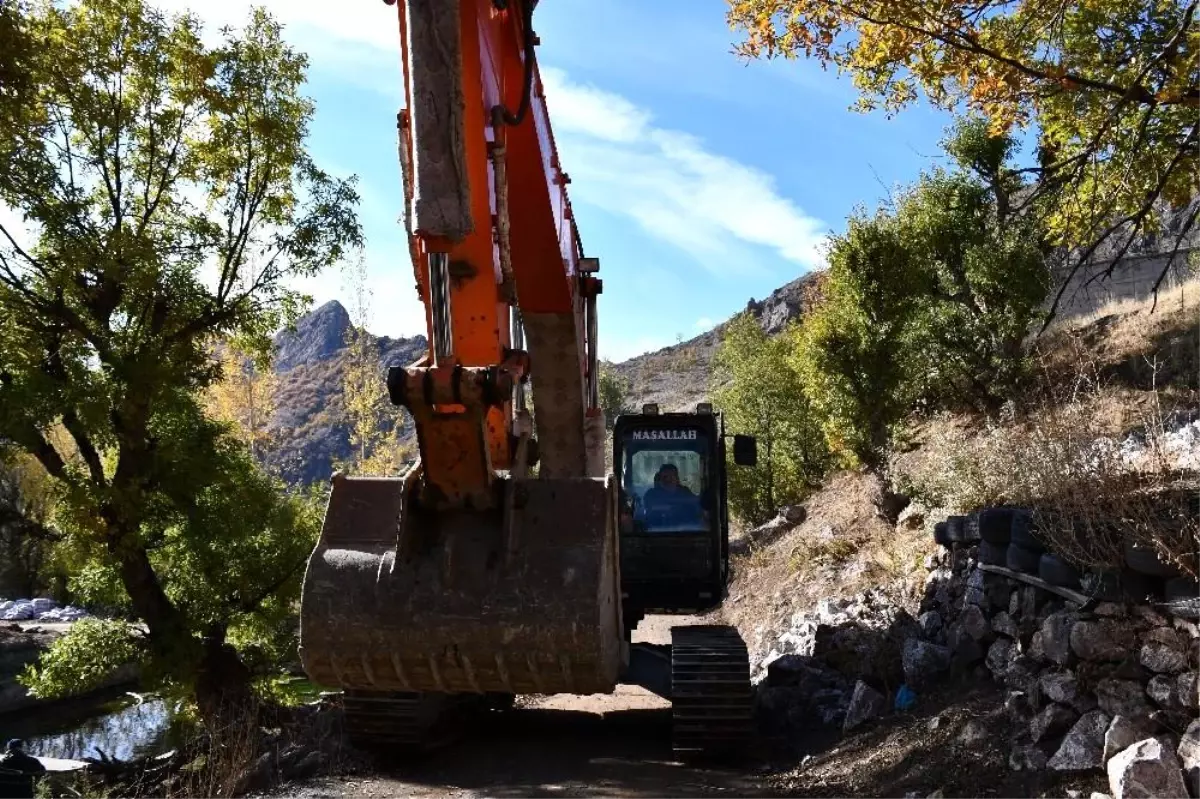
x: 1090, y: 449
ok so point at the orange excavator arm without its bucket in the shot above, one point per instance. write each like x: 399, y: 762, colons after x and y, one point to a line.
x: 499, y: 260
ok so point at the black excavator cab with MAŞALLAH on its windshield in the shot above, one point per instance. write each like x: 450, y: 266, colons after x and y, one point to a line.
x: 670, y: 471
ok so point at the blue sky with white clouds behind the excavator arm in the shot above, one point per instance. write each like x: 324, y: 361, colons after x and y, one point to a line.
x: 699, y: 181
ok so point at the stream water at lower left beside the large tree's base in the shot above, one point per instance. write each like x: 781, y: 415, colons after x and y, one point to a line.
x: 121, y: 728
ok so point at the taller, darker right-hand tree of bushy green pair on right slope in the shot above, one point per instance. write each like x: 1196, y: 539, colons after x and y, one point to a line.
x: 982, y: 274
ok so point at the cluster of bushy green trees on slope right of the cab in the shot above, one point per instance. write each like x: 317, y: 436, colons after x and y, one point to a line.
x: 927, y: 302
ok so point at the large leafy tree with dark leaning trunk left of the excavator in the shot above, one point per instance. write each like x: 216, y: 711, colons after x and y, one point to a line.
x: 170, y: 197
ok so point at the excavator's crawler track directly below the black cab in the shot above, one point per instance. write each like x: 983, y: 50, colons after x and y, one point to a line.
x: 711, y: 694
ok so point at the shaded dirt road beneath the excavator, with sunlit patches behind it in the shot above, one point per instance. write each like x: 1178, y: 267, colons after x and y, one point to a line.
x: 616, y: 746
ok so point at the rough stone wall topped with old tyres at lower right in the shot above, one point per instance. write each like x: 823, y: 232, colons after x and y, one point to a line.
x: 1091, y: 684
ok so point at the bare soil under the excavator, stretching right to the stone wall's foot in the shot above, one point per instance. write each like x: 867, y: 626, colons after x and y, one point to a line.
x: 619, y: 746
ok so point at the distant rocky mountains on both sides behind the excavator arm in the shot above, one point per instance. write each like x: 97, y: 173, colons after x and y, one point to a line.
x: 310, y: 430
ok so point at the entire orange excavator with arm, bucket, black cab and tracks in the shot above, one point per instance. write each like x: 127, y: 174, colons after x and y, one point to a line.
x: 509, y: 560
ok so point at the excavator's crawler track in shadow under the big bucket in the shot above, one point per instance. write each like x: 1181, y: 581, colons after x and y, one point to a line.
x: 407, y: 723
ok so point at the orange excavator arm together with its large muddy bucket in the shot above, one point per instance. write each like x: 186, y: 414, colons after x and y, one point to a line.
x: 467, y: 575
